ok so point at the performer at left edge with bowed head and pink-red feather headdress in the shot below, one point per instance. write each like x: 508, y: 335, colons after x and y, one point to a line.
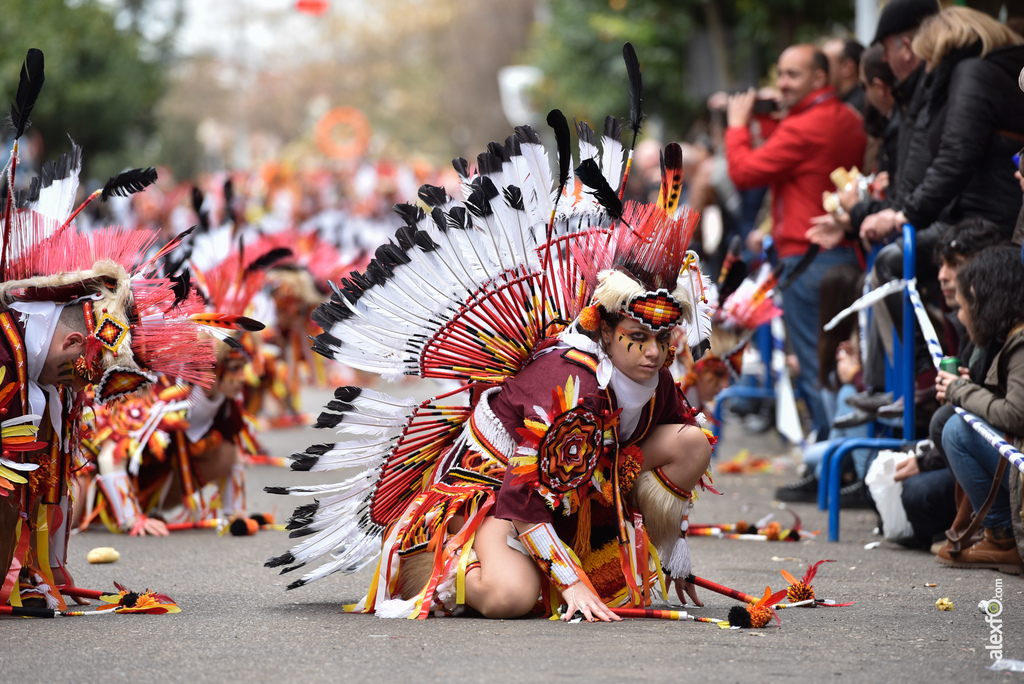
x: 76, y: 312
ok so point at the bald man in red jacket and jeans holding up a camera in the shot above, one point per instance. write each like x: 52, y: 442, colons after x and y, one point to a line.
x: 818, y: 135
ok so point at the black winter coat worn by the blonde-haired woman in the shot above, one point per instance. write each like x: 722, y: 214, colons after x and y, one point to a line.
x: 971, y: 126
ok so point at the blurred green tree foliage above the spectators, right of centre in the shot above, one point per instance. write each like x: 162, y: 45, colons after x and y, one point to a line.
x: 579, y: 47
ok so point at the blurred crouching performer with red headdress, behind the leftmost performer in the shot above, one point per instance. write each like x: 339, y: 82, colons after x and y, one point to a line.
x: 175, y: 455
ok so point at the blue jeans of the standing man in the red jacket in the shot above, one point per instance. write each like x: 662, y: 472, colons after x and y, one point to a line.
x: 800, y: 314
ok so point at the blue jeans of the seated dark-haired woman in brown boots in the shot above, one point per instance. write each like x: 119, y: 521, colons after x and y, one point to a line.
x: 974, y: 461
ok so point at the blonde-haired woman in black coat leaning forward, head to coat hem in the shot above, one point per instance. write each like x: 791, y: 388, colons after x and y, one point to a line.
x: 972, y: 120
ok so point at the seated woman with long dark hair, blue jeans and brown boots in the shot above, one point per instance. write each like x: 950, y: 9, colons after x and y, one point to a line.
x: 992, y: 310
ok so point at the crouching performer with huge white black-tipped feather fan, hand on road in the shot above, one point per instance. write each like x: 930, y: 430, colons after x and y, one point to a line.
x: 570, y: 476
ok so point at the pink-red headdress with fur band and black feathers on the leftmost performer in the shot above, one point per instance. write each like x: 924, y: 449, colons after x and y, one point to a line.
x: 137, y: 323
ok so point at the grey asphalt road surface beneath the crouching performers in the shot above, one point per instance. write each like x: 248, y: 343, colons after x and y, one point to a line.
x: 238, y: 624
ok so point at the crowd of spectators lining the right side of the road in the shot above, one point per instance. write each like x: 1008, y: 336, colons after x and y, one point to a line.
x: 925, y: 125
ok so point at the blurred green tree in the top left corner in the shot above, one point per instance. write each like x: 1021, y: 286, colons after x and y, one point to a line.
x: 99, y: 90
